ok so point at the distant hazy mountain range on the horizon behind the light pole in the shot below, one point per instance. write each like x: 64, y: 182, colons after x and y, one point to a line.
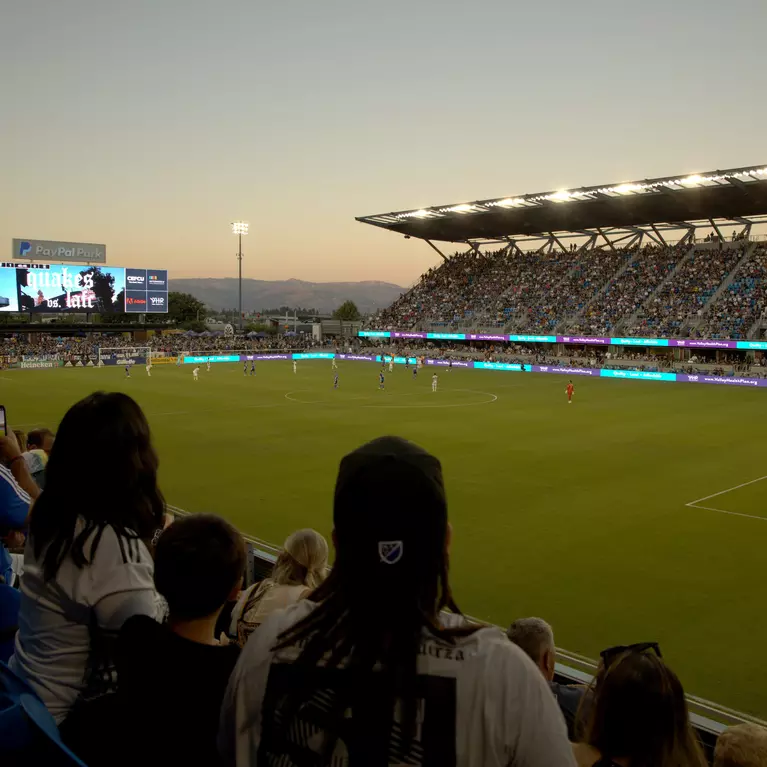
x: 265, y: 294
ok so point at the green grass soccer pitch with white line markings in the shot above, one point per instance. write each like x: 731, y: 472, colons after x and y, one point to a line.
x: 576, y: 513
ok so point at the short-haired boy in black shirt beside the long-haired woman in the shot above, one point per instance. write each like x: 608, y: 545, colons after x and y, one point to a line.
x: 172, y: 676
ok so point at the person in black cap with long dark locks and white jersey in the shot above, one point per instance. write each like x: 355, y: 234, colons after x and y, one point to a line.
x: 371, y: 670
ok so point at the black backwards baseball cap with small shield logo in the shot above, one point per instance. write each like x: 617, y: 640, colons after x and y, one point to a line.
x: 386, y: 534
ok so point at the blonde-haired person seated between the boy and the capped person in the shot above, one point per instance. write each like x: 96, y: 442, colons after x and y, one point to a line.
x: 299, y: 569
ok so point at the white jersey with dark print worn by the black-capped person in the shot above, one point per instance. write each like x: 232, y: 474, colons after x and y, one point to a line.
x: 481, y: 703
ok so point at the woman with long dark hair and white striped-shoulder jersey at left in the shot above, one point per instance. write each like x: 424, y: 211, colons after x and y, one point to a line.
x: 87, y: 565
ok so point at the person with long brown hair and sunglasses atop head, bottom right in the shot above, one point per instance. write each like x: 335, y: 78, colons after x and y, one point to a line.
x: 638, y: 715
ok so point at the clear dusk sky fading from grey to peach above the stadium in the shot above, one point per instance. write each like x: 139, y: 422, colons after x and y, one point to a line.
x: 150, y: 125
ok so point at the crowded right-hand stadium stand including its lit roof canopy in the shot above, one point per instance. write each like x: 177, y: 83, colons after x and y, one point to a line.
x: 669, y: 257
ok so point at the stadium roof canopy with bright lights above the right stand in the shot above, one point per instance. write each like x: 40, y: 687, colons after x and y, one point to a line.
x: 612, y: 212
